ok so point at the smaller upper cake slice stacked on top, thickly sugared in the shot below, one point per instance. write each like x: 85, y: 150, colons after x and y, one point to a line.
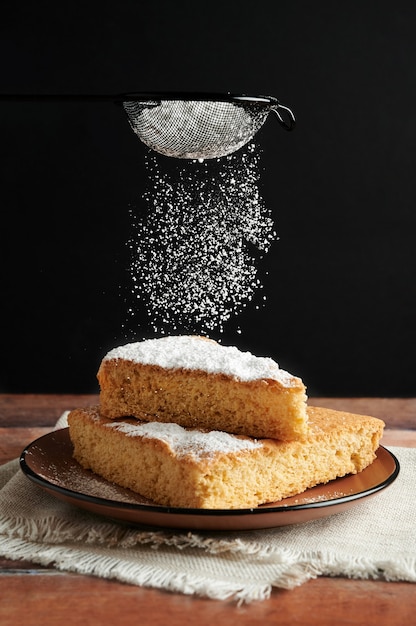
x: 198, y: 383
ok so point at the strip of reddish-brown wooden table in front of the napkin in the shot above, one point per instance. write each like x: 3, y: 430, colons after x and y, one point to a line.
x: 72, y: 600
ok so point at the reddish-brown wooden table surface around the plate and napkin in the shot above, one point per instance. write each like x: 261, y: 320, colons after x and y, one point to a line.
x: 30, y: 594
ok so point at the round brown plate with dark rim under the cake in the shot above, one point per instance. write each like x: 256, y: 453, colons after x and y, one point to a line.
x: 48, y: 462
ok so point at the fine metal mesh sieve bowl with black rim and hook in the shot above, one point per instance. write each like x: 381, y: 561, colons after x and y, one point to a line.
x: 201, y: 126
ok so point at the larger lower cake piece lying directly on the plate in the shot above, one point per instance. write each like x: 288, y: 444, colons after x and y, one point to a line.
x: 189, y: 468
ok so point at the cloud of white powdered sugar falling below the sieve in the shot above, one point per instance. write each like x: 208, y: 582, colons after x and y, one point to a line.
x: 194, y: 254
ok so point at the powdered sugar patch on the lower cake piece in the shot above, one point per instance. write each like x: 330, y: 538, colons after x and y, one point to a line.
x: 194, y: 443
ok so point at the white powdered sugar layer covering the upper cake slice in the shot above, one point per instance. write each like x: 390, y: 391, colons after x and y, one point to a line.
x: 199, y: 353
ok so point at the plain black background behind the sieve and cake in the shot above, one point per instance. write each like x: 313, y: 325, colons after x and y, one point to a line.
x: 340, y: 282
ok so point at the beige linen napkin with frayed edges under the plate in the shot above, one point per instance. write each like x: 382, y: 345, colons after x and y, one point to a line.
x: 374, y: 539
